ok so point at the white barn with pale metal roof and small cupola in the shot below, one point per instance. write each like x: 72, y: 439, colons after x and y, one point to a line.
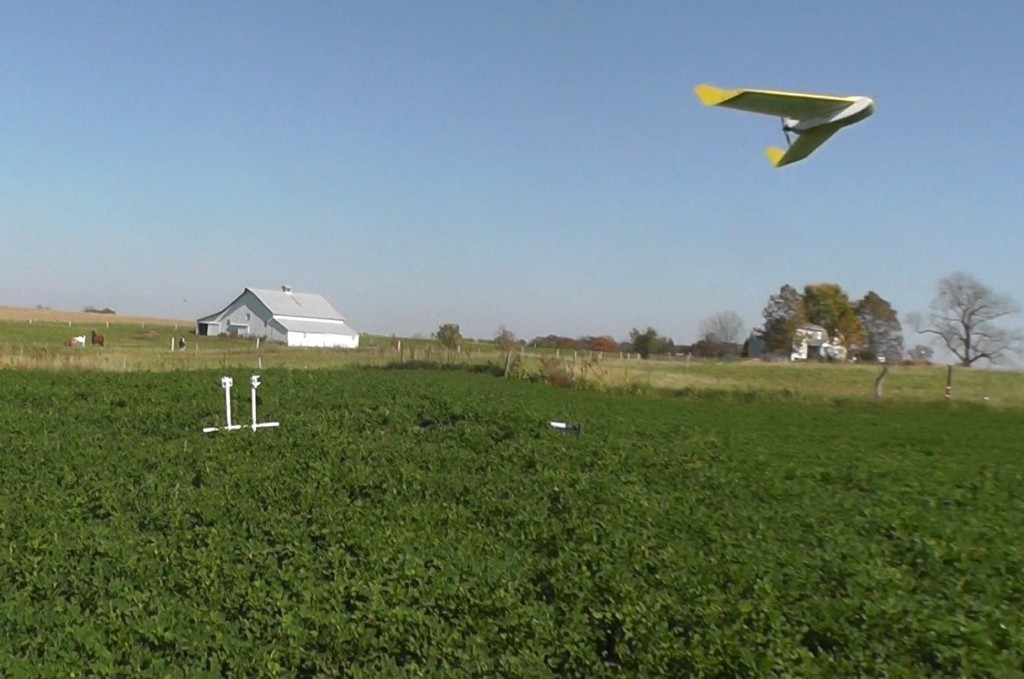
x: 297, y: 319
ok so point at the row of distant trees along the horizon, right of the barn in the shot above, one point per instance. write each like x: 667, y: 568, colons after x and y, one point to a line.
x: 965, y: 319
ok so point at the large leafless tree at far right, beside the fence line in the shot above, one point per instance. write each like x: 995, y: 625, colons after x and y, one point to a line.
x: 963, y: 320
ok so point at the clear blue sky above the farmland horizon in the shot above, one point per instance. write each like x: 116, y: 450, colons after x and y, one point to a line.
x: 540, y: 165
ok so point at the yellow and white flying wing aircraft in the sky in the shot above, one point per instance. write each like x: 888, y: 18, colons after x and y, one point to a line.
x: 814, y: 118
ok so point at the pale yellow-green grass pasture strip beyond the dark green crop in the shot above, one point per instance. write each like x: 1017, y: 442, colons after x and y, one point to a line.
x: 31, y: 339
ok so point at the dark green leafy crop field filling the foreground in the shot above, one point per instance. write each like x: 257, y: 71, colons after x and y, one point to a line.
x: 426, y: 523
